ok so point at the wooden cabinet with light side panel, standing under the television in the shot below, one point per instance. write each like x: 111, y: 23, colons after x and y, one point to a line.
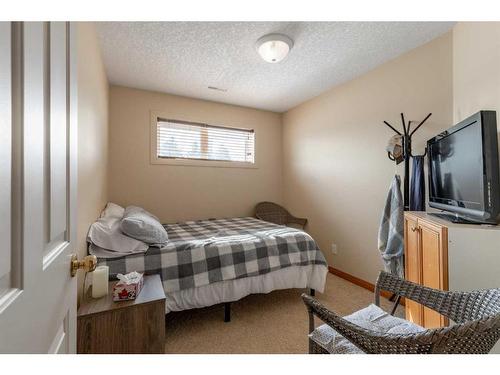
x: 449, y: 256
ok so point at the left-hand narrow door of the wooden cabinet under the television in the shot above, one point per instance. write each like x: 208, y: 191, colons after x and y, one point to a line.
x: 414, y: 311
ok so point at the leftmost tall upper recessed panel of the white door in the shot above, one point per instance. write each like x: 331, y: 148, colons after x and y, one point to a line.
x: 11, y: 156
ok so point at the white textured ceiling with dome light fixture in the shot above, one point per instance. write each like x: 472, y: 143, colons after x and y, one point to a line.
x: 184, y: 58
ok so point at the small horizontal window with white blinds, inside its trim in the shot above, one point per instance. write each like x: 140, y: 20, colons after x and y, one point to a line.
x: 194, y: 141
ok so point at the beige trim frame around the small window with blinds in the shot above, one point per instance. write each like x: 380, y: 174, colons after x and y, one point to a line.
x: 154, y: 159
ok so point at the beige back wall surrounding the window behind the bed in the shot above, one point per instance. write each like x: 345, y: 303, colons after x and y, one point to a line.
x: 176, y: 193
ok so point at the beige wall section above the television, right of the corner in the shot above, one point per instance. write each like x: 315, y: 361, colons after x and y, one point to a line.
x: 476, y: 68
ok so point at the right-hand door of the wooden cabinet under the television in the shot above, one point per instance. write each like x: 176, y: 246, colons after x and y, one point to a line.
x: 434, y: 267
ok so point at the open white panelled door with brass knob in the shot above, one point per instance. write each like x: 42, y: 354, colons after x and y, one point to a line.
x: 37, y: 187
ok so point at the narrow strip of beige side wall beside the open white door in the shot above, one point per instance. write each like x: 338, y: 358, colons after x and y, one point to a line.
x: 92, y: 134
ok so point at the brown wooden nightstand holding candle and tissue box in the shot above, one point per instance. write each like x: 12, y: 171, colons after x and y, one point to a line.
x: 136, y: 326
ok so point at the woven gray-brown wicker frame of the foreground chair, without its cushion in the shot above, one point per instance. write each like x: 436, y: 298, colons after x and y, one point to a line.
x: 476, y: 315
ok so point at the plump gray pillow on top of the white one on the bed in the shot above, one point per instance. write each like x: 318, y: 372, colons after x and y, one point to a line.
x: 143, y: 226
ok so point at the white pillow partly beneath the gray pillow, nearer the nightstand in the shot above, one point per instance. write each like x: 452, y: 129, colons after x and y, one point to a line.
x: 106, y: 233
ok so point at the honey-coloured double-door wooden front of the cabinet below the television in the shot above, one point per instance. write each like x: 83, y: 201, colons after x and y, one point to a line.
x: 426, y: 263
